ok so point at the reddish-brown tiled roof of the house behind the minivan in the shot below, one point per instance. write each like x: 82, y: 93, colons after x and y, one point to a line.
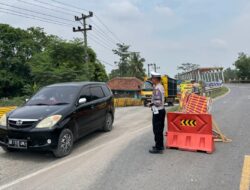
x: 125, y: 83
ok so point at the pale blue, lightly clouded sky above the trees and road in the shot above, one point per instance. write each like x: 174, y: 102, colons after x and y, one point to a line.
x: 166, y: 32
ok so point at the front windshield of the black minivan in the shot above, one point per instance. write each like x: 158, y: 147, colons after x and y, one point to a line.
x: 57, y: 95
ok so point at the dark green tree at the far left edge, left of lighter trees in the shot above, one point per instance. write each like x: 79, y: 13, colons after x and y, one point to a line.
x: 14, y: 52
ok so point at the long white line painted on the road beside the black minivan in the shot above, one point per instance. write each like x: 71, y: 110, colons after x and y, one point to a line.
x: 137, y: 131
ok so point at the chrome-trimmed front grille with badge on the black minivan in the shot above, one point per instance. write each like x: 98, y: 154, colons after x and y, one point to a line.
x: 21, y: 123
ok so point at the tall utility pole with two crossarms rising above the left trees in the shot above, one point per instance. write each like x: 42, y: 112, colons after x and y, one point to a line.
x: 84, y: 30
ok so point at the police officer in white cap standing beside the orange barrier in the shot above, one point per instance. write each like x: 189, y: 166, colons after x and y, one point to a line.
x: 159, y: 112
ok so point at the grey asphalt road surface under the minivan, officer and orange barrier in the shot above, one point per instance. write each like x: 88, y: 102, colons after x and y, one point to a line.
x: 120, y: 160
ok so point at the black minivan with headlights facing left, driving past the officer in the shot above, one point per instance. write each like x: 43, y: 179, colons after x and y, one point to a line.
x: 56, y: 116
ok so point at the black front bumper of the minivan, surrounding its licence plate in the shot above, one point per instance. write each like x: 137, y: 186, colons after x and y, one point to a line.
x: 36, y: 140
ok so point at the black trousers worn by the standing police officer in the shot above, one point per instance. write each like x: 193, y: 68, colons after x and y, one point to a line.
x: 158, y: 127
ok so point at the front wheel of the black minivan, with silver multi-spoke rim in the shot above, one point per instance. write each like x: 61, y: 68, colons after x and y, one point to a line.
x: 65, y: 143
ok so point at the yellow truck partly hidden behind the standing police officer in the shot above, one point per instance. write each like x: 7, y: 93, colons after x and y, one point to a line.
x: 170, y: 86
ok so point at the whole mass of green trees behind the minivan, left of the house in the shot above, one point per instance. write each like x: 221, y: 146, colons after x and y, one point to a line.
x: 30, y: 59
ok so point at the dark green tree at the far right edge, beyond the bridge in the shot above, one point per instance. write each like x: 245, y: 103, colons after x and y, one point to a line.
x: 242, y: 65
